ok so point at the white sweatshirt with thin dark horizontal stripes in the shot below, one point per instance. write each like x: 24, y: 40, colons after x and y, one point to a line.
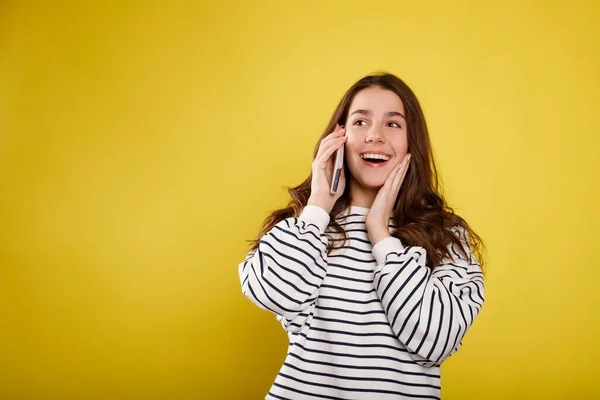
x: 363, y: 322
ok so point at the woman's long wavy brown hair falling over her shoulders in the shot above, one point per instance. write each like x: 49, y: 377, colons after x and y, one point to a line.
x: 421, y: 216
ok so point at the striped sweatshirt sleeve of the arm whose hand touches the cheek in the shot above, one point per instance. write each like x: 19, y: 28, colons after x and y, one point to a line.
x: 430, y: 312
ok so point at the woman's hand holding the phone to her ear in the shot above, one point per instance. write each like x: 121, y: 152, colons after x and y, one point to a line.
x: 322, y: 171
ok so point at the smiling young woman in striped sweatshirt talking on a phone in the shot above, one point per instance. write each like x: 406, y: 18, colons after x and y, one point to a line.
x: 377, y: 284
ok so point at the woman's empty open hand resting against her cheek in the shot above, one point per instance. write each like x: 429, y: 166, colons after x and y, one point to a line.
x: 379, y: 215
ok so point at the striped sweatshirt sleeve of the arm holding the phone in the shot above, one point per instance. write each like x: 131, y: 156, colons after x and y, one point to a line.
x: 284, y: 273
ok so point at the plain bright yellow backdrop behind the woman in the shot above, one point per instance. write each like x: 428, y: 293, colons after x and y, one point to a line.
x: 141, y: 144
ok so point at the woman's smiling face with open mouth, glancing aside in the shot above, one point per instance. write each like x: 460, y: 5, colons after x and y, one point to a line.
x: 377, y: 136
